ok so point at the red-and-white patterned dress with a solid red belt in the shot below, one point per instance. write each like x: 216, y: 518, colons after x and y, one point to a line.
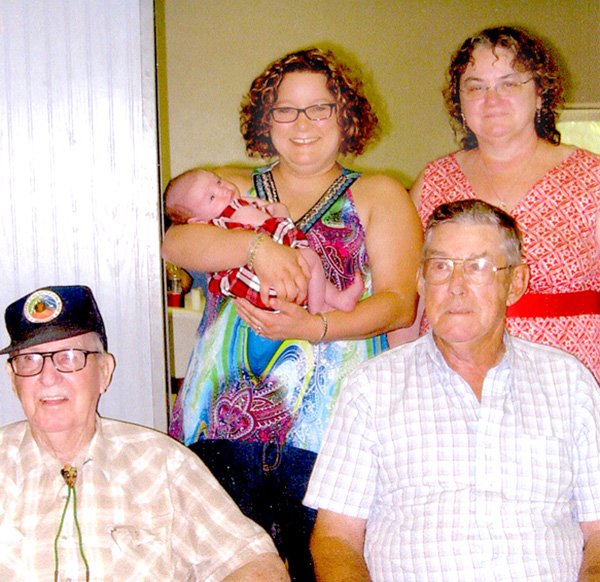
x: 558, y: 220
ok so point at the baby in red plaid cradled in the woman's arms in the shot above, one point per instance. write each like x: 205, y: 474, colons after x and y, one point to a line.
x: 201, y: 196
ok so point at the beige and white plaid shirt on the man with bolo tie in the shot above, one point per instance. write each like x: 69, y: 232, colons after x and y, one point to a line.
x: 147, y: 507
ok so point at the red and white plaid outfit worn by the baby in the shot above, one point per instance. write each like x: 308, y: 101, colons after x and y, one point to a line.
x: 242, y: 282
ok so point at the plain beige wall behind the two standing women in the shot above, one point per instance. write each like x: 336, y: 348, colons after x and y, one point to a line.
x: 214, y: 48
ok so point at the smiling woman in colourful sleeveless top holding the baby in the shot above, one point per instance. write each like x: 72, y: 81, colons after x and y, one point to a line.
x: 261, y: 384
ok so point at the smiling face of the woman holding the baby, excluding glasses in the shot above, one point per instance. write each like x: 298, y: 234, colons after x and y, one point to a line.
x: 304, y: 145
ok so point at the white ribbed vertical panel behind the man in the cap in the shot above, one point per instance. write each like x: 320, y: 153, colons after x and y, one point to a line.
x: 79, y: 179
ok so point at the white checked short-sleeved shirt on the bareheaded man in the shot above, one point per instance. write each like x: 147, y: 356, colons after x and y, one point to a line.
x: 462, y: 490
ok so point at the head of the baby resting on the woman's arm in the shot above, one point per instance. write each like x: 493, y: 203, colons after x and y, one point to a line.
x: 197, y: 196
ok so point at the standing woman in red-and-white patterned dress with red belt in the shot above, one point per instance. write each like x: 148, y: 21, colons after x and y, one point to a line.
x: 503, y: 95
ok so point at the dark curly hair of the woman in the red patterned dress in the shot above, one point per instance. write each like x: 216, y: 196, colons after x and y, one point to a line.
x: 530, y: 54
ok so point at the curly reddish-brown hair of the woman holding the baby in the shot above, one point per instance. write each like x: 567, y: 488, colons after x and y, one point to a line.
x: 357, y: 119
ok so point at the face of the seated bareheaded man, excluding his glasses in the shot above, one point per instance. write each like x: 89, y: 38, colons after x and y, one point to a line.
x: 460, y: 313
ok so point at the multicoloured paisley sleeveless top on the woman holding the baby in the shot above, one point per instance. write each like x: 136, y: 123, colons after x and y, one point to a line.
x: 240, y: 386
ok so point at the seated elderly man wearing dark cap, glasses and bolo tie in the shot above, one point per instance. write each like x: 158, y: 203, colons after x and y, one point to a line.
x: 88, y: 498
